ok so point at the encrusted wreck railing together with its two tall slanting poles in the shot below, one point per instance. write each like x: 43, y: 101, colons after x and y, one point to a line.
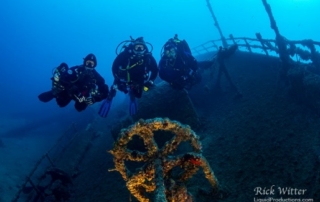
x: 281, y: 45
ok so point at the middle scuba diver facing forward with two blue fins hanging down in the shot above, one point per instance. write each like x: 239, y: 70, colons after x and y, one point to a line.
x: 134, y: 70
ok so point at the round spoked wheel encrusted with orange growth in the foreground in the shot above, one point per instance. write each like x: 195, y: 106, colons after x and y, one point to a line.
x: 156, y: 173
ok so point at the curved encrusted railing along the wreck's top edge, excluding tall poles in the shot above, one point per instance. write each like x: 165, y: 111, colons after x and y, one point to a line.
x: 302, y: 49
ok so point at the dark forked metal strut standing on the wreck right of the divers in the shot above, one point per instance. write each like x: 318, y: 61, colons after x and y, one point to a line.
x: 223, y: 54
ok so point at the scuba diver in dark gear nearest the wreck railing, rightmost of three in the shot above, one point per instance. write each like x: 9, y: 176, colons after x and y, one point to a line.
x: 177, y: 66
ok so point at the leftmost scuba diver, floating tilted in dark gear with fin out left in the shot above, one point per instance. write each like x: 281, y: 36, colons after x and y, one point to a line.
x: 81, y: 83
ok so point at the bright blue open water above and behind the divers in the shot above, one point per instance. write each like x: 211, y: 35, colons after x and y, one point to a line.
x: 36, y: 36
